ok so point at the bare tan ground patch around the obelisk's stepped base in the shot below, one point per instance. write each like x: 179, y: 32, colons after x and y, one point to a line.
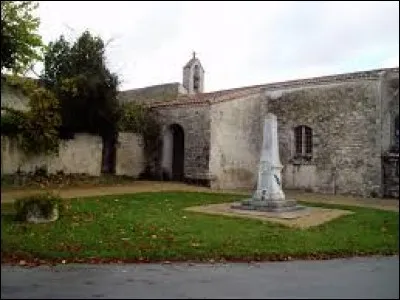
x: 312, y: 216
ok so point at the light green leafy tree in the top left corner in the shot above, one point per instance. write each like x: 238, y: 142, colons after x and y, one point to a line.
x: 21, y: 45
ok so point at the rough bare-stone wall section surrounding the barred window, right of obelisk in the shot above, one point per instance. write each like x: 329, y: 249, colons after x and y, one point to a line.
x: 346, y: 124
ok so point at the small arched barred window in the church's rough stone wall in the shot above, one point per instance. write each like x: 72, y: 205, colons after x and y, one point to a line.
x: 303, y: 142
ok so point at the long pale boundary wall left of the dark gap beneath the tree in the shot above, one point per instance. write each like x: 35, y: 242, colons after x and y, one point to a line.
x: 81, y: 155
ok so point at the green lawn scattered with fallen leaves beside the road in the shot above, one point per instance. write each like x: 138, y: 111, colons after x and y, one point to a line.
x: 153, y: 227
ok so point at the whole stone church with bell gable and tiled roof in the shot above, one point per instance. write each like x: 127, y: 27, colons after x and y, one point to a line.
x: 338, y: 134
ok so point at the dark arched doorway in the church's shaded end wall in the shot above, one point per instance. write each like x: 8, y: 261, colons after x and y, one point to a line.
x: 174, y: 152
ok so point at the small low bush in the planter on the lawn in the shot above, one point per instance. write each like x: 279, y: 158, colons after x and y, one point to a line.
x: 38, y: 206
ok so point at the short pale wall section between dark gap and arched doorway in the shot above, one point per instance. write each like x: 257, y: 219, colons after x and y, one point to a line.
x: 130, y: 155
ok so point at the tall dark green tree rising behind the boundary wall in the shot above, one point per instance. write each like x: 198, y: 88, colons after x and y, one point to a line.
x: 87, y: 90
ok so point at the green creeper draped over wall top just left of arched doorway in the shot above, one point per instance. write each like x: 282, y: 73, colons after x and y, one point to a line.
x: 142, y: 120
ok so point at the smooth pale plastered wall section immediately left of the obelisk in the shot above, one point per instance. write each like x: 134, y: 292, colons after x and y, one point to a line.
x: 236, y: 138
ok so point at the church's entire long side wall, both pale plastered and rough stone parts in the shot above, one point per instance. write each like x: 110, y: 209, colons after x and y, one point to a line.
x: 346, y: 117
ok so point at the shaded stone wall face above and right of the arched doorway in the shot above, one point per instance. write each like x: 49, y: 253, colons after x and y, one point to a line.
x: 195, y: 121
